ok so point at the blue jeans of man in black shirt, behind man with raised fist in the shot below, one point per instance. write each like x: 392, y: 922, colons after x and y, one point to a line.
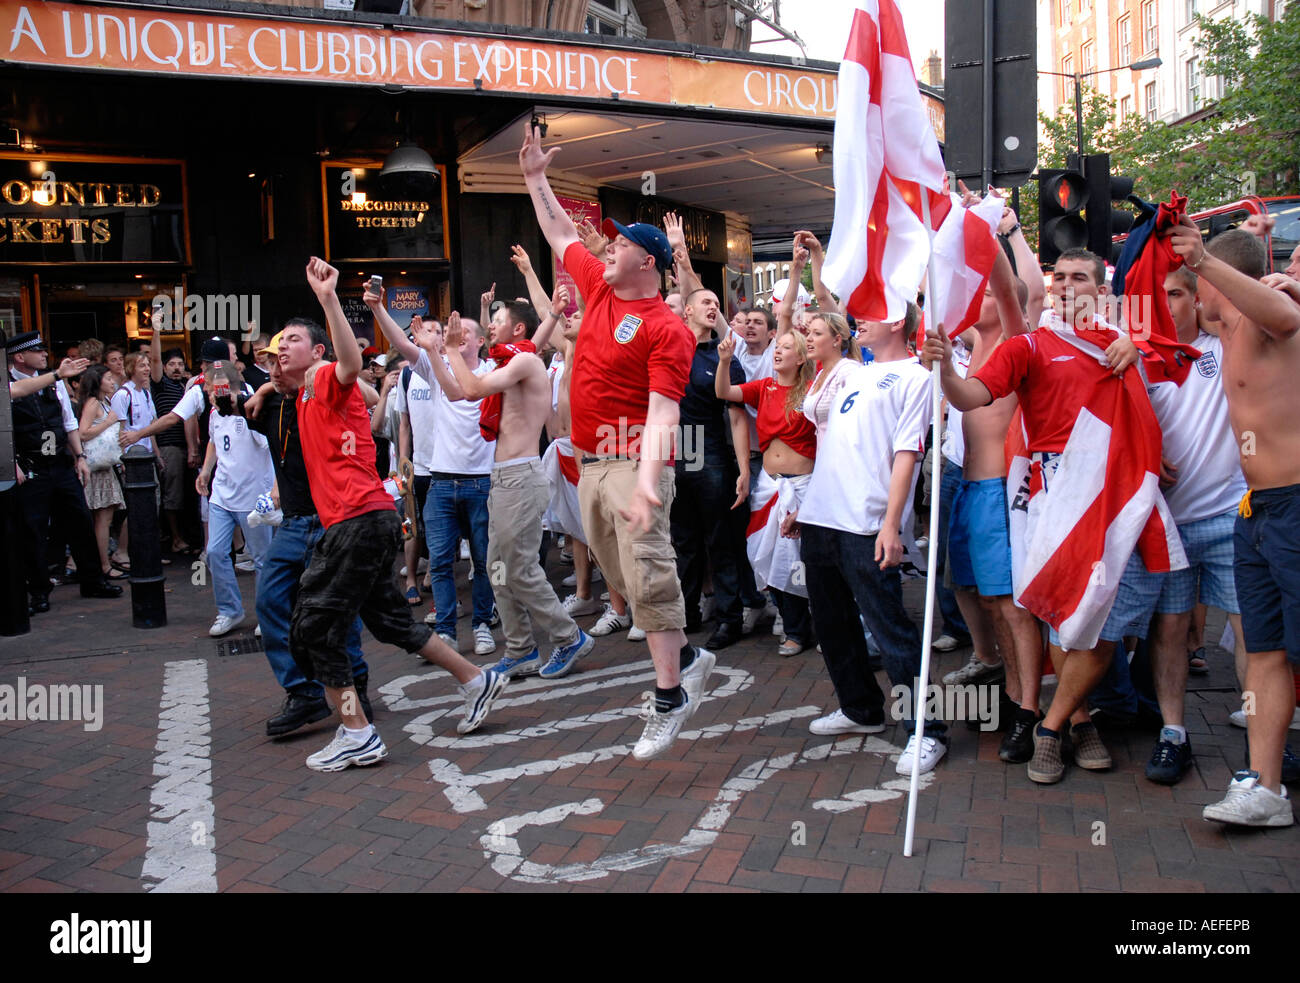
x: 278, y: 594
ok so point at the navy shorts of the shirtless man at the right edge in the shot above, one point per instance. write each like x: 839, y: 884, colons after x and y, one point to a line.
x: 1268, y: 571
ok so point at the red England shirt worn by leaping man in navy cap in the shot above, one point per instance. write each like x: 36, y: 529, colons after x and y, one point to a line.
x: 626, y: 350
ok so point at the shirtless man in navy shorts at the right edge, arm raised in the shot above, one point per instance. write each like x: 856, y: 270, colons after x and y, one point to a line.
x: 1262, y: 361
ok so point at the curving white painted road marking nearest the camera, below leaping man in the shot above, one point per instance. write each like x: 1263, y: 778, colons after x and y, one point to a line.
x: 502, y: 848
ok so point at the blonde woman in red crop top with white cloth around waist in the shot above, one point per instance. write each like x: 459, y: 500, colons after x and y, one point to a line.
x: 788, y: 443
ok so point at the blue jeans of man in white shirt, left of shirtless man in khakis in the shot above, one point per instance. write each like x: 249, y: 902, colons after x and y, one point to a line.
x: 456, y: 510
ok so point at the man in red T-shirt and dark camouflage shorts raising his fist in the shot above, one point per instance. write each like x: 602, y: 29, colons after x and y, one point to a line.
x: 352, y: 569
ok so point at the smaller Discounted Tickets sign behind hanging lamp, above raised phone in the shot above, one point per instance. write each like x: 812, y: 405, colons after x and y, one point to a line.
x: 366, y: 219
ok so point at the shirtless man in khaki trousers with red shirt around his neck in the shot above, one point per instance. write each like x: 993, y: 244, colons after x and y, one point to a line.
x: 519, y: 496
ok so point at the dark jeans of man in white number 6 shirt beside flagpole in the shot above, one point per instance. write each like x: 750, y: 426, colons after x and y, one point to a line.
x: 844, y: 581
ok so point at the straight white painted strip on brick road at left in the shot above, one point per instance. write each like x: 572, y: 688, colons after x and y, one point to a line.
x: 179, y: 856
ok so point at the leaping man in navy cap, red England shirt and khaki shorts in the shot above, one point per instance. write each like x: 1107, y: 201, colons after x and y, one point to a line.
x: 631, y: 365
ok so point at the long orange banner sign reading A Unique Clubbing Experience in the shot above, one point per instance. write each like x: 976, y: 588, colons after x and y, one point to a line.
x: 184, y: 44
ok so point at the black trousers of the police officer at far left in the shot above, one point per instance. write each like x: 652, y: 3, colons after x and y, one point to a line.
x: 57, y: 495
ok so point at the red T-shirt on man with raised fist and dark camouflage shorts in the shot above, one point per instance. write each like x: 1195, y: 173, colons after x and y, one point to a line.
x: 339, y: 449
